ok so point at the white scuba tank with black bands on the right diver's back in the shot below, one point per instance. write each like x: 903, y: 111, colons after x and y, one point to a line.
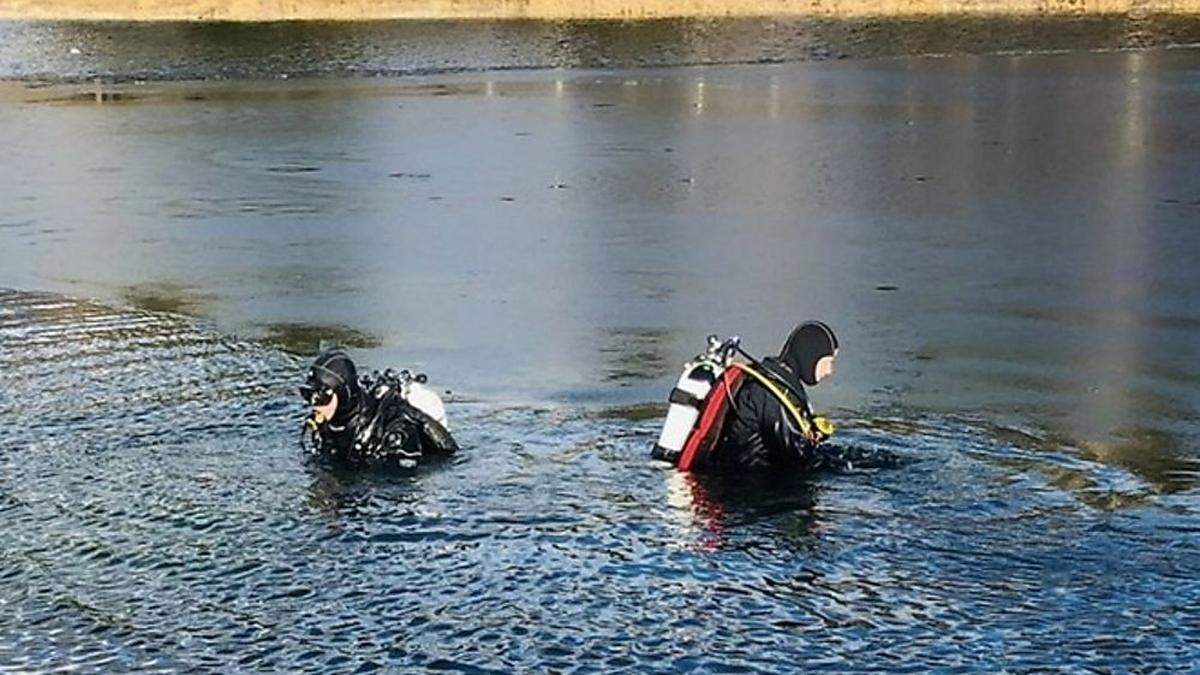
x: 691, y: 393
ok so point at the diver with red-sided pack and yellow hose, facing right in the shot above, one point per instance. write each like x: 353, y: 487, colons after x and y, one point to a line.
x: 735, y: 417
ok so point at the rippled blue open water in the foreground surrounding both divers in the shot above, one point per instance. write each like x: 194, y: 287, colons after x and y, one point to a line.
x: 158, y: 515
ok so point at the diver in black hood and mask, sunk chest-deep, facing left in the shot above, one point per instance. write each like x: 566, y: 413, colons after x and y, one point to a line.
x: 383, y: 421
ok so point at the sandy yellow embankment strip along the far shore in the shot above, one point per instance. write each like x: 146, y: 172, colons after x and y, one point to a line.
x: 359, y: 10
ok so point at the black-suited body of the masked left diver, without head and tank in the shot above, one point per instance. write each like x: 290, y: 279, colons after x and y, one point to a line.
x: 383, y: 432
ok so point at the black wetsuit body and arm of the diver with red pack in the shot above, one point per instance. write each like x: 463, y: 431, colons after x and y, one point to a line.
x: 760, y: 433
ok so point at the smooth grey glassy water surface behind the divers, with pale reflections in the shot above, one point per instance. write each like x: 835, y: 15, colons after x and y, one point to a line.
x: 1012, y: 202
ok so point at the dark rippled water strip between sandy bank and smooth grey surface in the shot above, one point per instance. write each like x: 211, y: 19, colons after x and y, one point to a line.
x: 117, y: 52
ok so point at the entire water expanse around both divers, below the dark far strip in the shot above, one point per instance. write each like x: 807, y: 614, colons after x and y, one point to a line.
x: 1006, y: 246
